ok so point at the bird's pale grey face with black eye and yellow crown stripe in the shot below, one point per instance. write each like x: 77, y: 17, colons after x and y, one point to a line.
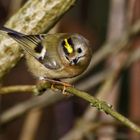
x: 75, y: 48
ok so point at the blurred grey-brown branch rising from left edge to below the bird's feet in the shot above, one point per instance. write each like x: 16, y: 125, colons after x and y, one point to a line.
x: 44, y: 100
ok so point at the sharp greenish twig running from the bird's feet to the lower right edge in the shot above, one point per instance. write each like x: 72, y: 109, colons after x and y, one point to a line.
x: 102, y: 106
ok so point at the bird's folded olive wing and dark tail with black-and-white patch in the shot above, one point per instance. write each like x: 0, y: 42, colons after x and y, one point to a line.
x: 33, y: 45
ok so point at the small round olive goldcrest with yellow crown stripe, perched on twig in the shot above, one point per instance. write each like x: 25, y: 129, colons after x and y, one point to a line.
x: 54, y: 56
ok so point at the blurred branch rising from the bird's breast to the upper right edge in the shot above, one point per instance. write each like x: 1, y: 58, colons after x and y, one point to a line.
x: 111, y: 48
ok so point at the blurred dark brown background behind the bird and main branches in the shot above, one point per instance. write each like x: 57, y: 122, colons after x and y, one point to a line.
x: 71, y: 118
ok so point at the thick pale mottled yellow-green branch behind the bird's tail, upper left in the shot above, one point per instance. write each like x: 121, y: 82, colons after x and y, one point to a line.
x: 33, y: 18
